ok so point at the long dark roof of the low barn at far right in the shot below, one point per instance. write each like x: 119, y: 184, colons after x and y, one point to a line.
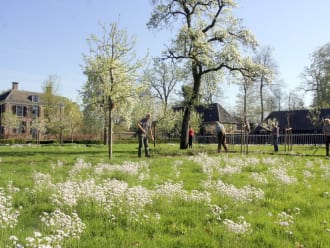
x: 297, y: 119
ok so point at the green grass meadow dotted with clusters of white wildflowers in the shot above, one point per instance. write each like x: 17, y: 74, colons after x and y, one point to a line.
x: 74, y: 196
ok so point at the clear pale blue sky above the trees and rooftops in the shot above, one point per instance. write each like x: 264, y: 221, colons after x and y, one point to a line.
x: 43, y: 37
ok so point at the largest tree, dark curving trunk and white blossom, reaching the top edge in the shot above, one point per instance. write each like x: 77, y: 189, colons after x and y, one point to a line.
x: 208, y: 40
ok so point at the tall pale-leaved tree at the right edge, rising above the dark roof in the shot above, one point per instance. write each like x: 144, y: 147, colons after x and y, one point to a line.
x: 317, y: 77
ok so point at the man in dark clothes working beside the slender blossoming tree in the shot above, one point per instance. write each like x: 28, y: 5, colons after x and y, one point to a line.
x: 144, y: 126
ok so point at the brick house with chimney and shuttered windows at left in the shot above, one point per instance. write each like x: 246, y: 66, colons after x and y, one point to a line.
x: 26, y: 105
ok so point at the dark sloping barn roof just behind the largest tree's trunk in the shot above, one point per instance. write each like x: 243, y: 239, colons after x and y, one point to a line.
x: 212, y: 112
